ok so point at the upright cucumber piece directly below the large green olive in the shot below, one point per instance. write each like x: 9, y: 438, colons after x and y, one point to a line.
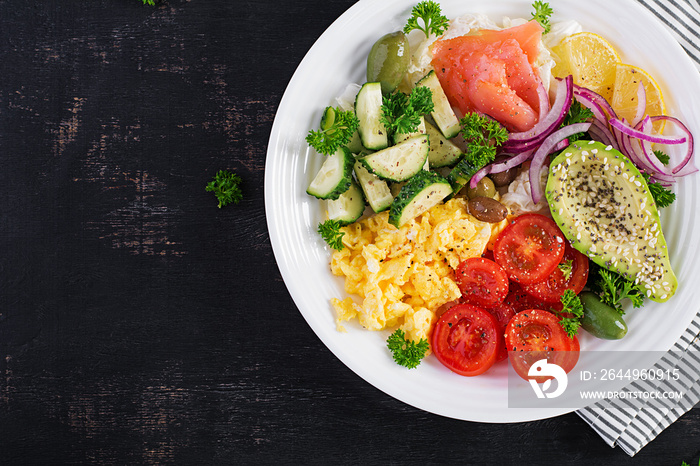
x: 368, y: 108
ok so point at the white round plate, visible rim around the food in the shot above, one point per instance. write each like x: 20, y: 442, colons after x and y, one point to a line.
x: 339, y: 58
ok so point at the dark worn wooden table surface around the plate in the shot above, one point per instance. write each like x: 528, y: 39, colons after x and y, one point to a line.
x: 139, y: 323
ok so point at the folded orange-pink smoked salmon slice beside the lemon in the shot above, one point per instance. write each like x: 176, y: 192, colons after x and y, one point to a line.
x: 492, y: 72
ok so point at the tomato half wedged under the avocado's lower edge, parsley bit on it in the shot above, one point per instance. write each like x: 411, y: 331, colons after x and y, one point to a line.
x: 551, y: 288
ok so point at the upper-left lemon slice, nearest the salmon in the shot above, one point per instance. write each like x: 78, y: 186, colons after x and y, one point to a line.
x: 590, y: 59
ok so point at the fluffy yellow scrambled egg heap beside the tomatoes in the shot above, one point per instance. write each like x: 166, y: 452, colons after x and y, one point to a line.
x: 403, y: 275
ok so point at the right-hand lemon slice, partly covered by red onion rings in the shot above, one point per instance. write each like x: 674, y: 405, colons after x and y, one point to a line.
x: 624, y: 100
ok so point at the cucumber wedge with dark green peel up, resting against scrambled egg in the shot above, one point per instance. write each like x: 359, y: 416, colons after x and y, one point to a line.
x: 419, y: 194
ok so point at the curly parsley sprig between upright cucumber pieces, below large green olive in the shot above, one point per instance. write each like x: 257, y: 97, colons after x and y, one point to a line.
x: 402, y: 113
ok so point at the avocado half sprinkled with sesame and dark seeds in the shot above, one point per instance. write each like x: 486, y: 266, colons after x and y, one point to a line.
x: 603, y: 206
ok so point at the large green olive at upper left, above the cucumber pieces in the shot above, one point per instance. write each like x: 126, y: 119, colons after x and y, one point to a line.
x: 388, y: 60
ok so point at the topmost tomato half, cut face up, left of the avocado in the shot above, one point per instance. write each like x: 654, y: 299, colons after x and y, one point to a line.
x: 529, y: 248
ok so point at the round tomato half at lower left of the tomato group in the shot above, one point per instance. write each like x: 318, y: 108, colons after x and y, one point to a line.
x: 466, y: 339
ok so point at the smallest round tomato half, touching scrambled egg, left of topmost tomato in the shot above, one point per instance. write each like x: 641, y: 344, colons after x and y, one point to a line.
x: 482, y: 282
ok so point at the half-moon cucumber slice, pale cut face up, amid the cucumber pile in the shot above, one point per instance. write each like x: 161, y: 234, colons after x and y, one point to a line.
x: 399, y: 162
